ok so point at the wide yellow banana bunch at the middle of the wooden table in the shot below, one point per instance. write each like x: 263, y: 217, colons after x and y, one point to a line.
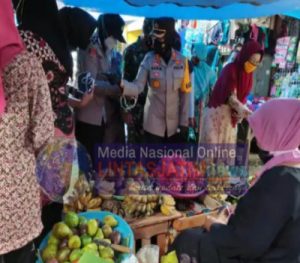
x: 140, y: 205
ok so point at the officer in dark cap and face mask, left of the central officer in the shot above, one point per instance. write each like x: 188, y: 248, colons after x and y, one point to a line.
x: 101, y: 121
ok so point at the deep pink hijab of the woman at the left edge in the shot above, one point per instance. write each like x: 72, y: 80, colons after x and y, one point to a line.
x: 10, y: 43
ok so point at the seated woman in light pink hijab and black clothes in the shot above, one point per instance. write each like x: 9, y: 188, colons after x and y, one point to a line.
x: 266, y: 223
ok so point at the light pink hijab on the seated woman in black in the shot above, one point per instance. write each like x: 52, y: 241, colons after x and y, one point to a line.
x: 276, y: 126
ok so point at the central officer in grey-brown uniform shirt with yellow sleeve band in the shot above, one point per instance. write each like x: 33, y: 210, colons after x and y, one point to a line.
x: 165, y: 71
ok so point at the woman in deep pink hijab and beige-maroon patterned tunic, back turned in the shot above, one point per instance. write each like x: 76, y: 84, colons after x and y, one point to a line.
x: 26, y: 124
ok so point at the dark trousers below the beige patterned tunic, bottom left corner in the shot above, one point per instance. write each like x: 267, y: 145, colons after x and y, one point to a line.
x: 26, y: 254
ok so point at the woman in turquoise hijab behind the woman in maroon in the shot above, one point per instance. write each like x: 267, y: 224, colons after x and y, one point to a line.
x: 203, y: 81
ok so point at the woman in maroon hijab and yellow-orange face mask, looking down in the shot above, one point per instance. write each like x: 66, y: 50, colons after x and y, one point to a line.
x: 226, y: 105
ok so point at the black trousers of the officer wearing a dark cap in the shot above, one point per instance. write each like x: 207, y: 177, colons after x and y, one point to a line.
x: 89, y: 136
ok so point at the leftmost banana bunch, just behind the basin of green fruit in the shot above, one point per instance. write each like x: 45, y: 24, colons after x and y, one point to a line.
x: 83, y: 202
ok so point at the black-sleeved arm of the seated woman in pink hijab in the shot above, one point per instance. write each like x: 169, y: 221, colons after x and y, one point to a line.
x: 260, y: 216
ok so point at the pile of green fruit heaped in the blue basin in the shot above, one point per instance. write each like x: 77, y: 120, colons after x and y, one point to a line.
x: 75, y: 235
